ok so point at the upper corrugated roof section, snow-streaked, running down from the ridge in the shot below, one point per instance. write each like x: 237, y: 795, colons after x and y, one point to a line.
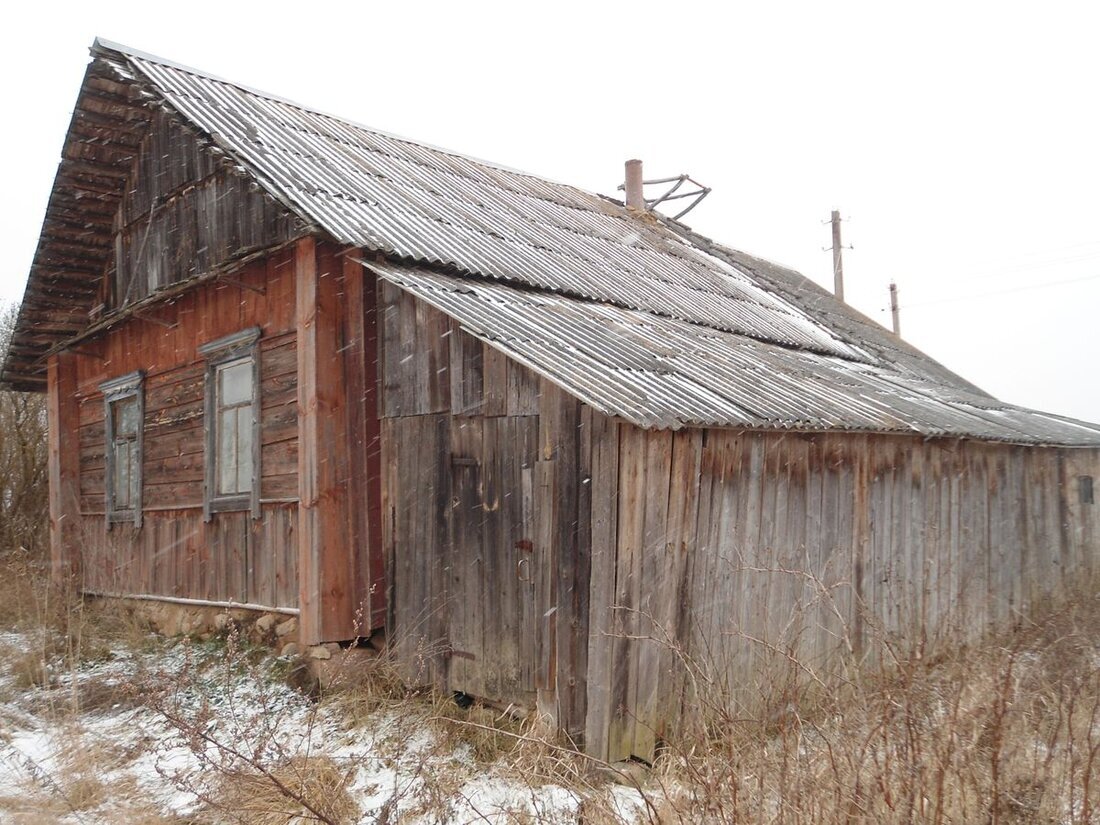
x: 382, y: 193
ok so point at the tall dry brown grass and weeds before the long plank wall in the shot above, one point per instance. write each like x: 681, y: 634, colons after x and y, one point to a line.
x: 1005, y: 732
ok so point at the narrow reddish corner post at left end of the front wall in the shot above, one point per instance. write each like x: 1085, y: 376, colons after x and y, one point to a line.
x: 64, y: 458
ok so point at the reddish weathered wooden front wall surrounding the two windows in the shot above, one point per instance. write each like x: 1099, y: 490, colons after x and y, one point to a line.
x: 175, y: 554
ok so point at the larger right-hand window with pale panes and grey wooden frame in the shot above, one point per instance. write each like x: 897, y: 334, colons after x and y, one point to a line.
x: 233, y: 424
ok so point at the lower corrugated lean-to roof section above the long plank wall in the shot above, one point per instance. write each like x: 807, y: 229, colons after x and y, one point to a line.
x: 669, y: 373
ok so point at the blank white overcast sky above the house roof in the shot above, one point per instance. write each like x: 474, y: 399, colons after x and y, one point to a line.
x: 961, y: 141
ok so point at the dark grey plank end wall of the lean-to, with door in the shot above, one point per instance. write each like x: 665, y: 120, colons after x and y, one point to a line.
x: 486, y: 507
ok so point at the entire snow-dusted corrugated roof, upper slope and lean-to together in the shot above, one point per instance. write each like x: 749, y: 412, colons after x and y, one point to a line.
x: 636, y: 315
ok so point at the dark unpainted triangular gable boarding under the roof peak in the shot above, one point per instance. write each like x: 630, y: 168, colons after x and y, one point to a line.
x: 186, y: 212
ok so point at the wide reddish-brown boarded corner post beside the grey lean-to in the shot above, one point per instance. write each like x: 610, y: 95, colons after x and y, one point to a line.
x: 335, y: 427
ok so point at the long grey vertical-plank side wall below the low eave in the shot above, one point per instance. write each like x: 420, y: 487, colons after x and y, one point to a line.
x: 742, y: 553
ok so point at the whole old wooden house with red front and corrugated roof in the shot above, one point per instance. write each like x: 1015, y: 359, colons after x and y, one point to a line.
x: 551, y: 443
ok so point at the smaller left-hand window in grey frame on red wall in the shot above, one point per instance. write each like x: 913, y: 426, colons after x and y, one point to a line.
x: 124, y: 417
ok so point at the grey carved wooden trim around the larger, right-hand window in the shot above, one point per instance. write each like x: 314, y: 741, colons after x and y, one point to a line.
x: 218, y: 353
